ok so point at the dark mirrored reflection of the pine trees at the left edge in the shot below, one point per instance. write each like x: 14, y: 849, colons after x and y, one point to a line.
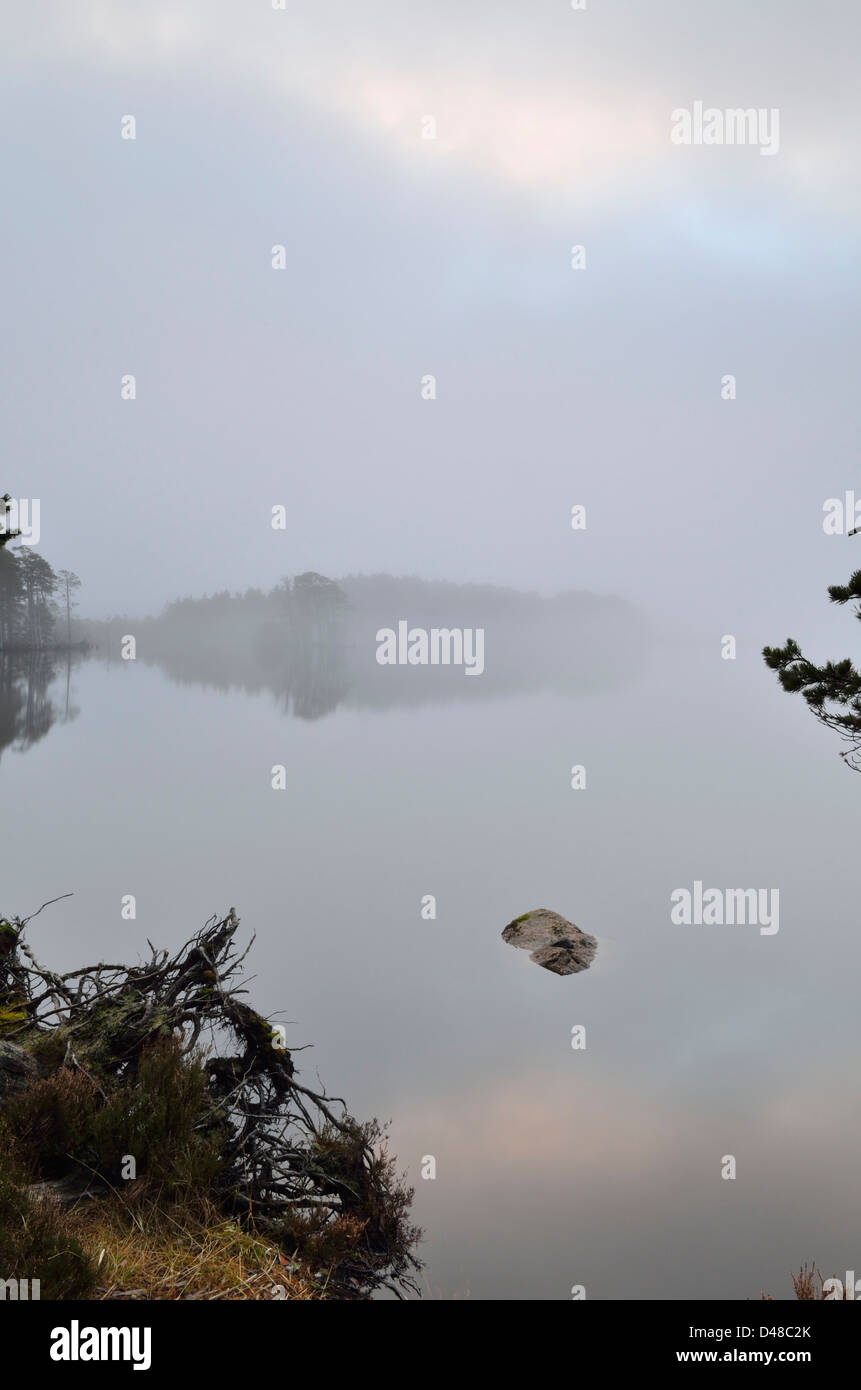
x: 30, y: 704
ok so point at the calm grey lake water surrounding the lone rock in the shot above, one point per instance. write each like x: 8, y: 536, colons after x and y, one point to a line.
x: 554, y: 1168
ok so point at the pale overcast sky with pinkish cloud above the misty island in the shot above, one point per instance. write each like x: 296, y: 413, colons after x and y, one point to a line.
x: 450, y: 256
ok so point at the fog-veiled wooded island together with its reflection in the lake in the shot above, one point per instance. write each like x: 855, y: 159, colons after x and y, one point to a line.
x: 314, y: 643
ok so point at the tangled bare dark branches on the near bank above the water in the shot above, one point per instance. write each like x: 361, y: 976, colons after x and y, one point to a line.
x: 291, y: 1161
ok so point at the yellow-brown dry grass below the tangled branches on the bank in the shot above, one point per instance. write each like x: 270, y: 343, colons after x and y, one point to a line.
x: 145, y: 1252
